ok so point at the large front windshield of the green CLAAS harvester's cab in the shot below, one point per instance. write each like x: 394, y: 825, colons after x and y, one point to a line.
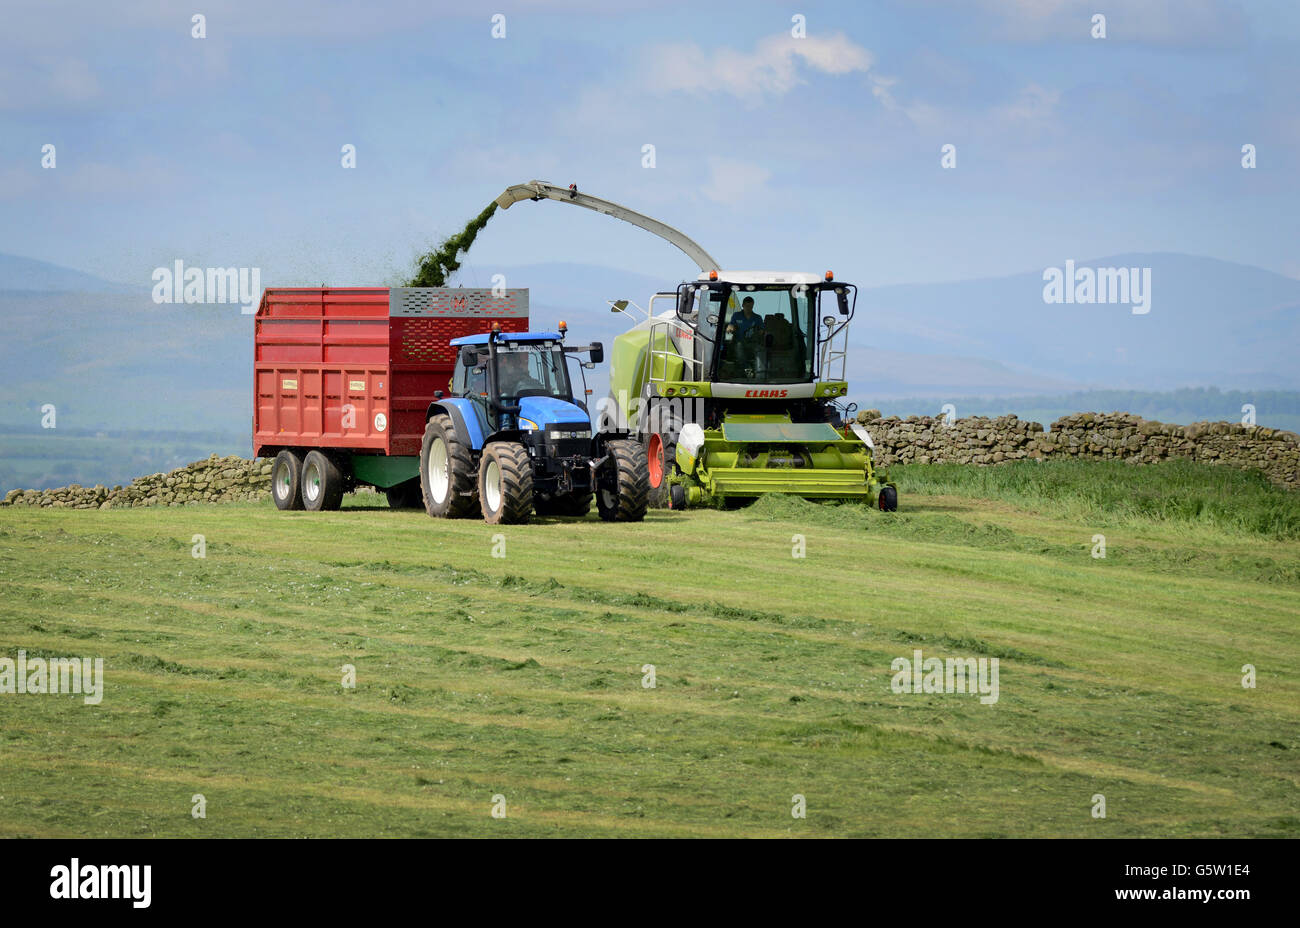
x: 768, y: 336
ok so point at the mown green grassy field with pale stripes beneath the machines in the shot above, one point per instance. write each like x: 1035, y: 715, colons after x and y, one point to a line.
x: 522, y: 677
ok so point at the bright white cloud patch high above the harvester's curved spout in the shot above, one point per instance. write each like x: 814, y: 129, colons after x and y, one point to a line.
x: 774, y: 68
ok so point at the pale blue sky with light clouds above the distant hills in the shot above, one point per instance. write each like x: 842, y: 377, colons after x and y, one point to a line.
x: 772, y: 151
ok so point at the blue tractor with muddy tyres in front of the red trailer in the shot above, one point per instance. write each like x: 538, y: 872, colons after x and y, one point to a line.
x: 512, y: 440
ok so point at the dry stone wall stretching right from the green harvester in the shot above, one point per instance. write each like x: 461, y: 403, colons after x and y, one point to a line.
x: 1116, y: 436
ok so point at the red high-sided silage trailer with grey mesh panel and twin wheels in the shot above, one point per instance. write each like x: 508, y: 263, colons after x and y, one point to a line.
x: 344, y: 378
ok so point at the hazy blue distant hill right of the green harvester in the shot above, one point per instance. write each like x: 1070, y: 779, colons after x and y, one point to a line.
x: 1211, y: 322
